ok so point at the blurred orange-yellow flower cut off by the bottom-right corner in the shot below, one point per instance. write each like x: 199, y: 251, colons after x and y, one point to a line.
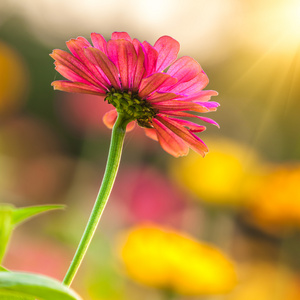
x: 264, y: 281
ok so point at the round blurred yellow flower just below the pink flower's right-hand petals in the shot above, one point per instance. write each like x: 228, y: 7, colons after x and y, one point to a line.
x: 222, y: 177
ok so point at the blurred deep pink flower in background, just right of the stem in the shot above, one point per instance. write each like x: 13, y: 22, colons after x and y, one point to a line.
x: 147, y: 195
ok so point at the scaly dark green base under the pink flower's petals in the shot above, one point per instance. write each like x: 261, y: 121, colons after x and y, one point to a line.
x: 132, y: 107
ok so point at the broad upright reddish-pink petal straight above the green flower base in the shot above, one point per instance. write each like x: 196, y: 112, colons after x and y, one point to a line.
x: 123, y: 55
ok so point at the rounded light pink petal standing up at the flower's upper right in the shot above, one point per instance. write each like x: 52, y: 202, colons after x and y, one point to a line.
x: 167, y: 49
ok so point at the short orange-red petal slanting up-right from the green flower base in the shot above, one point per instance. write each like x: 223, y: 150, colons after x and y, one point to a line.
x: 155, y: 81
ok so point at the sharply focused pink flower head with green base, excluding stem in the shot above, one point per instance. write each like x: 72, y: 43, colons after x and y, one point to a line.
x: 147, y: 84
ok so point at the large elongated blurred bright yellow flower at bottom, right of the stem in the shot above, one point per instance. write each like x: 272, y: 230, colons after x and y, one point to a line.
x: 168, y: 260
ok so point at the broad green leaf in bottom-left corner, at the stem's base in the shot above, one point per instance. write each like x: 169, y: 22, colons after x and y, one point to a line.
x: 27, y: 285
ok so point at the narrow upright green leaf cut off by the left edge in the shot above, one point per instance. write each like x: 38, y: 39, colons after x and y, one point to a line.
x: 6, y: 227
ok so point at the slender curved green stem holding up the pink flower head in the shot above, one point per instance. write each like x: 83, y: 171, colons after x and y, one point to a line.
x: 112, y: 165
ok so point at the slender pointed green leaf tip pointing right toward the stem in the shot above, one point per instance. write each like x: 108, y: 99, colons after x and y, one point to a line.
x: 24, y: 213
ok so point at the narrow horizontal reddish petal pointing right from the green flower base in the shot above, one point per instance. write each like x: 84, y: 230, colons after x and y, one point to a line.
x: 176, y: 105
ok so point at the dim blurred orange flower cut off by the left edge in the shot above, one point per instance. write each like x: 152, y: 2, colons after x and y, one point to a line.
x: 13, y: 79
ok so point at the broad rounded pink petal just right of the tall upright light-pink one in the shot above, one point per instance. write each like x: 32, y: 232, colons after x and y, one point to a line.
x: 184, y: 69
